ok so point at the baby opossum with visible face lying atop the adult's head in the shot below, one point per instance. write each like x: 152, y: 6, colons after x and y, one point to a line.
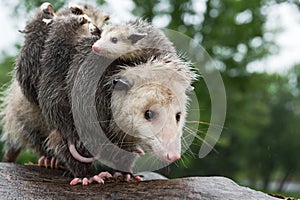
x: 133, y: 40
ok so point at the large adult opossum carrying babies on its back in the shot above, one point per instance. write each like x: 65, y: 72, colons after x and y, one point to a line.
x: 139, y: 95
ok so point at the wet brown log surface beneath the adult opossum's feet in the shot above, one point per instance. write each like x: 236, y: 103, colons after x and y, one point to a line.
x: 32, y: 182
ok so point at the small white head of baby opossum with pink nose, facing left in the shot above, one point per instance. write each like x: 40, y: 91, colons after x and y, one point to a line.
x: 117, y: 41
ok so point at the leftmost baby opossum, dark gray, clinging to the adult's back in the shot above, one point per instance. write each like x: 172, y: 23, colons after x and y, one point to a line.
x: 27, y: 66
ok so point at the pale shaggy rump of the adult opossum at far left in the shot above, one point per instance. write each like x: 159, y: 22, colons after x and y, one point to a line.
x: 23, y: 124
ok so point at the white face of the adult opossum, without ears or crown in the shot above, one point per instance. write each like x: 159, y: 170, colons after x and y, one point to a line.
x: 153, y: 114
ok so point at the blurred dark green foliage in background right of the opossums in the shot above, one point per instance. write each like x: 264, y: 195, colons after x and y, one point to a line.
x: 261, y: 138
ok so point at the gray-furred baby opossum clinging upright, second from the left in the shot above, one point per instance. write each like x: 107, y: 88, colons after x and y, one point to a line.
x: 66, y: 31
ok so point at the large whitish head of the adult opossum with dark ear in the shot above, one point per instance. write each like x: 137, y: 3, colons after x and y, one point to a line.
x: 149, y: 104
